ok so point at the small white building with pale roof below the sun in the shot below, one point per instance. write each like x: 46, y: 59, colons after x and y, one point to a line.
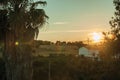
x: 88, y: 53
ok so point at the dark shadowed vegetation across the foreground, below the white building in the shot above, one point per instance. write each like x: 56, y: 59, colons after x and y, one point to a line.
x: 71, y: 68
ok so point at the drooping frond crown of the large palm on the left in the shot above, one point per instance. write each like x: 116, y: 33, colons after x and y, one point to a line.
x: 24, y: 17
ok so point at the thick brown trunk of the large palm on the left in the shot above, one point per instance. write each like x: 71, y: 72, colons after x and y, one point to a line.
x: 18, y: 59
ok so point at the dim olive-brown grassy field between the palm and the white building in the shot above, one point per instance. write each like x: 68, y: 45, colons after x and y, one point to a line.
x: 46, y: 50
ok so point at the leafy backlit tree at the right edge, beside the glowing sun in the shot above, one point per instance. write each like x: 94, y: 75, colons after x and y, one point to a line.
x: 112, y: 45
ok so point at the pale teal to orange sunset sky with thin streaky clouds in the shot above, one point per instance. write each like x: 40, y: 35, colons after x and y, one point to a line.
x: 74, y: 20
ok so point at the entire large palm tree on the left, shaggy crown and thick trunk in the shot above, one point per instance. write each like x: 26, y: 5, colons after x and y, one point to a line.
x: 20, y: 21
